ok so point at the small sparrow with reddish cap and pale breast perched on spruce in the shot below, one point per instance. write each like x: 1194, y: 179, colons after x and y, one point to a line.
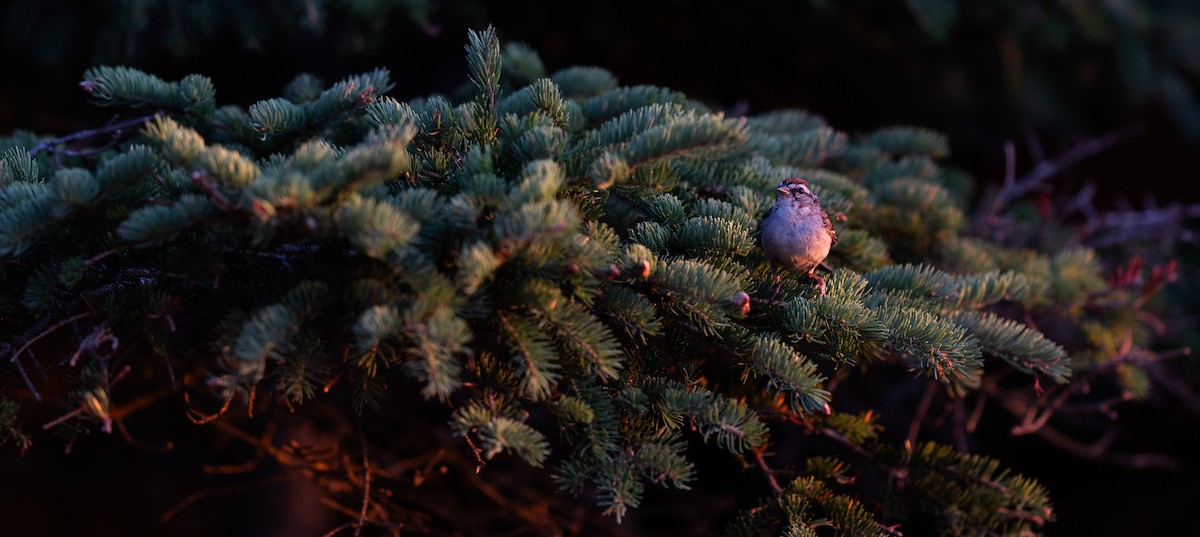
x: 797, y: 233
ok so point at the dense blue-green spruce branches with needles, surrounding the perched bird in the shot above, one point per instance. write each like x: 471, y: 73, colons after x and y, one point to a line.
x: 556, y: 249
